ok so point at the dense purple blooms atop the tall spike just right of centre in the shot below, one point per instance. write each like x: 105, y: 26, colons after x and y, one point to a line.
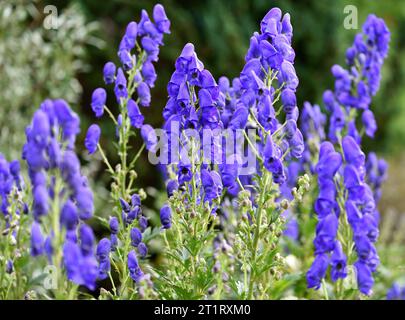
x: 270, y: 57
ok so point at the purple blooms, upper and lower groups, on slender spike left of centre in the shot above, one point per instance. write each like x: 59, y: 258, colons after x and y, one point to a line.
x: 138, y: 50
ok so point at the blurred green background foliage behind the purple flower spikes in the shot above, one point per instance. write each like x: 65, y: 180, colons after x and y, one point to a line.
x: 36, y: 63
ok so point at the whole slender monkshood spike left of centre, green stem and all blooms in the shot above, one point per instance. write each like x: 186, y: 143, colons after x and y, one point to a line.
x: 131, y: 80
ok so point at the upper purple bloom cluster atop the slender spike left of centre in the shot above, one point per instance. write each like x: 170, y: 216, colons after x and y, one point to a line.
x: 145, y: 37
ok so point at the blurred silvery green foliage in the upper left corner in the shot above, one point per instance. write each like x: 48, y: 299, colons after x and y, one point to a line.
x: 37, y: 63
